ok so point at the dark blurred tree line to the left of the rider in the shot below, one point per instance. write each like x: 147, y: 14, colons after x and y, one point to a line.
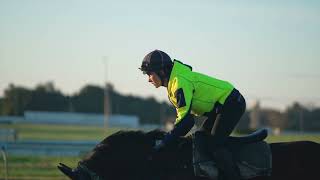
x: 89, y: 99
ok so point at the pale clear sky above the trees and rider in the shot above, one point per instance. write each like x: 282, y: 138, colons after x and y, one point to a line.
x: 268, y: 49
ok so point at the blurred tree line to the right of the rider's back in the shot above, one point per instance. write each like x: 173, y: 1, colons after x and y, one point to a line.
x: 296, y: 117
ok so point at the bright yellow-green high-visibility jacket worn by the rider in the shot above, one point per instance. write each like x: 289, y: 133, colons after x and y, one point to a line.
x: 187, y: 88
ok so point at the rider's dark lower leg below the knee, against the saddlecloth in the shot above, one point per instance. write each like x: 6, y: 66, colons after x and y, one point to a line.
x: 224, y: 161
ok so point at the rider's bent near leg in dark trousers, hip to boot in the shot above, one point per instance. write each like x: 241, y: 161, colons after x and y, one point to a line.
x: 231, y: 113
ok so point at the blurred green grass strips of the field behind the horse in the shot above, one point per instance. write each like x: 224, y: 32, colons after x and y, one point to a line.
x: 44, y: 168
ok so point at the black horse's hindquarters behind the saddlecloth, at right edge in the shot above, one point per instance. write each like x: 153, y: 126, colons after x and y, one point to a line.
x: 295, y: 160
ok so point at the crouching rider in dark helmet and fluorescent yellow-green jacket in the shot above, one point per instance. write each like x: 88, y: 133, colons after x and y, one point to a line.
x: 193, y: 93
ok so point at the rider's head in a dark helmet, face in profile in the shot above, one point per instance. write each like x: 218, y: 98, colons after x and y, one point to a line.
x: 157, y: 63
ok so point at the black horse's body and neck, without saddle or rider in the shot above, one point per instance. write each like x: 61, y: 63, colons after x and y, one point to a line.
x: 129, y: 155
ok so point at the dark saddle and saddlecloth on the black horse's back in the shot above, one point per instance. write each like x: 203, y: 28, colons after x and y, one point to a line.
x: 251, y: 154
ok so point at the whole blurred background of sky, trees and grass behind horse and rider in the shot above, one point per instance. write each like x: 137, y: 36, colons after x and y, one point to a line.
x: 69, y: 71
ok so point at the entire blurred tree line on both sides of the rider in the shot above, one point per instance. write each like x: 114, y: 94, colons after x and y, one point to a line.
x: 90, y: 99
